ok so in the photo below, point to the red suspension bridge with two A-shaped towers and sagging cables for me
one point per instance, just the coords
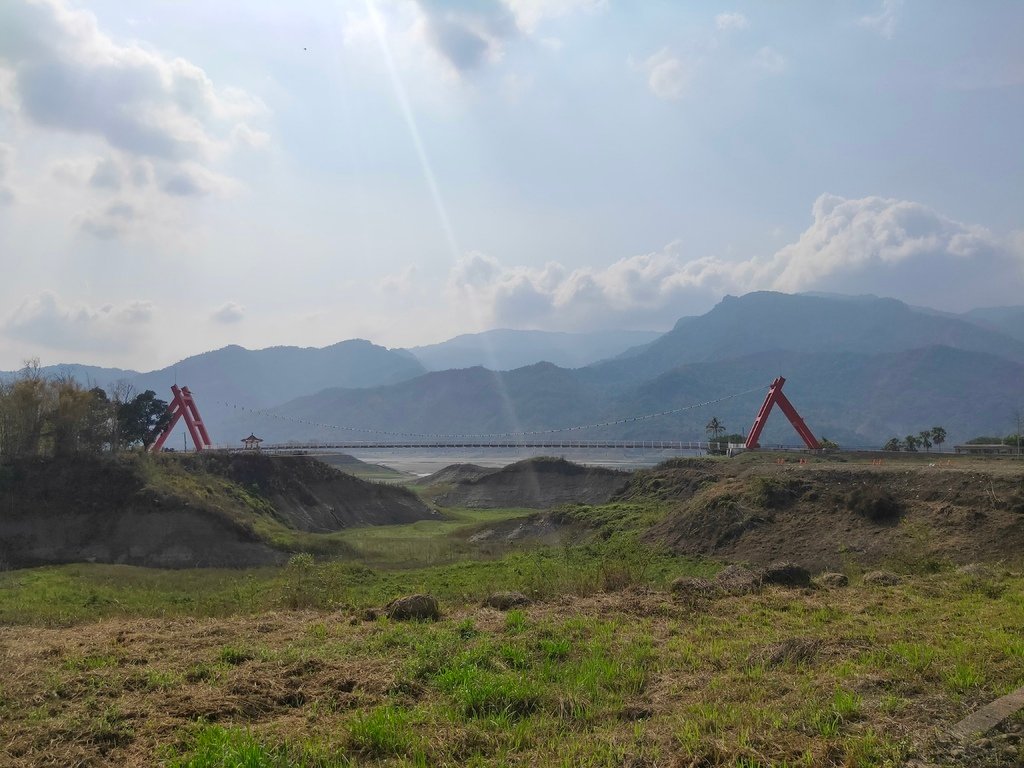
(184, 408)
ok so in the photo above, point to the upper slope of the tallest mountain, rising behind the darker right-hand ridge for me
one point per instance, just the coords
(765, 321)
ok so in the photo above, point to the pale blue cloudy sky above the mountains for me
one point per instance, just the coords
(179, 176)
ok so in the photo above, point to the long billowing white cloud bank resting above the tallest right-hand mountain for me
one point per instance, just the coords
(873, 245)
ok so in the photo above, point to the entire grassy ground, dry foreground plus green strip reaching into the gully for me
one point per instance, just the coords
(108, 665)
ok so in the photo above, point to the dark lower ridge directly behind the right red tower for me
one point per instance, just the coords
(856, 400)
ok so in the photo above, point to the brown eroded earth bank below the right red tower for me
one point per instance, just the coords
(827, 515)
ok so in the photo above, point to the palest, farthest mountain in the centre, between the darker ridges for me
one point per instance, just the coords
(506, 350)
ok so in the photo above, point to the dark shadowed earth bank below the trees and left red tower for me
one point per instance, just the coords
(180, 513)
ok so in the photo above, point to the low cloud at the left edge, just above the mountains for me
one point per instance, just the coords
(46, 321)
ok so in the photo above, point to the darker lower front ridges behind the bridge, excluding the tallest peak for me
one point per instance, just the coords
(857, 400)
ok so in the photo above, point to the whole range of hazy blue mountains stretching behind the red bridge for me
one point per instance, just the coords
(860, 370)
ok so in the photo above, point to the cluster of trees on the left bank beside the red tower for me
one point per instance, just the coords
(41, 416)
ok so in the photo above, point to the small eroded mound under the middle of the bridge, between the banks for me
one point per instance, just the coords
(537, 484)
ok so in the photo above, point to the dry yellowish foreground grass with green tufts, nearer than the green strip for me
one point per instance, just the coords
(628, 677)
